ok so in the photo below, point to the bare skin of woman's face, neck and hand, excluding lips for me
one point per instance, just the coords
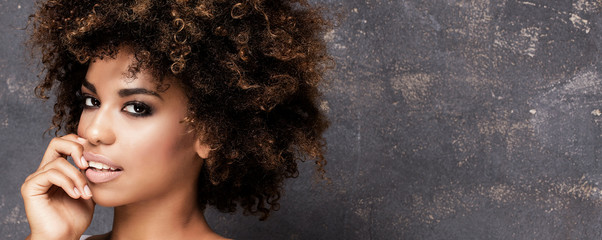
(139, 129)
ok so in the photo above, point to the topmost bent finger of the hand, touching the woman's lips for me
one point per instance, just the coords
(65, 146)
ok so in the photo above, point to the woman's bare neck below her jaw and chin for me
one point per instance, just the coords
(174, 217)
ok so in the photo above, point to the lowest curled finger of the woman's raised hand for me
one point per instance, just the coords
(39, 184)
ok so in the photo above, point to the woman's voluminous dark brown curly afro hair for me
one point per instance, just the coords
(250, 69)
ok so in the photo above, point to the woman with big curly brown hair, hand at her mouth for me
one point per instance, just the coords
(170, 106)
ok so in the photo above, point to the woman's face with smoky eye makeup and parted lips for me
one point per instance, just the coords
(137, 132)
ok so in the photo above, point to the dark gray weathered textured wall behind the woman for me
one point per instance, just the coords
(450, 120)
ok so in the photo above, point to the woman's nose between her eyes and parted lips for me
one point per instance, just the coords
(99, 128)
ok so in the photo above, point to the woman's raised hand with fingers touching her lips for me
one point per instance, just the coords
(57, 198)
